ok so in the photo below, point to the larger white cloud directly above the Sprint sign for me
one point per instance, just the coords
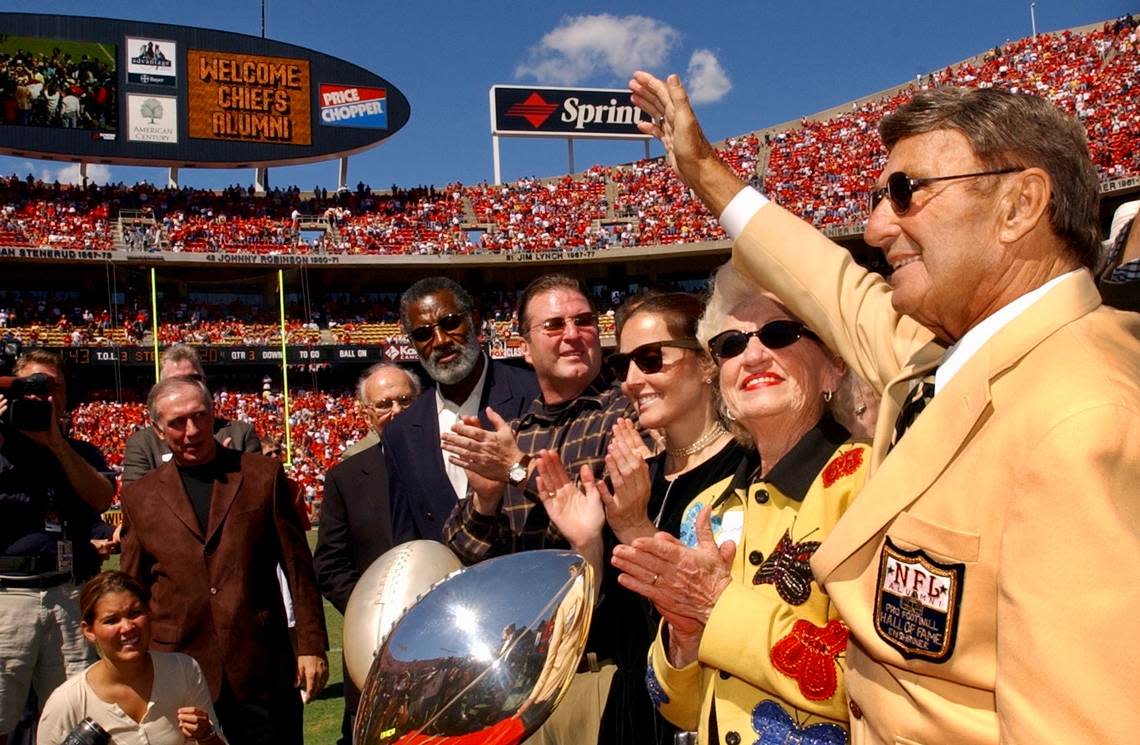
(585, 47)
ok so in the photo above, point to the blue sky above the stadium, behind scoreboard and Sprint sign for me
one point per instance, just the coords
(760, 64)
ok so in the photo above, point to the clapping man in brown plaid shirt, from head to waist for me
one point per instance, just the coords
(574, 416)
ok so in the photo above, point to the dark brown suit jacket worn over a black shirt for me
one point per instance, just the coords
(216, 597)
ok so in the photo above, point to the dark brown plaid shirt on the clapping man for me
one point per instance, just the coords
(581, 432)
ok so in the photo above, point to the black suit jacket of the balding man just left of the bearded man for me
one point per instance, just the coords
(356, 525)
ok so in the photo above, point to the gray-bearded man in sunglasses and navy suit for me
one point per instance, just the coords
(441, 318)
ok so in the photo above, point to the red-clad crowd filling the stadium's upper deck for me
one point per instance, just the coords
(821, 169)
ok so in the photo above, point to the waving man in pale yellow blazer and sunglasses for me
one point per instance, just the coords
(979, 572)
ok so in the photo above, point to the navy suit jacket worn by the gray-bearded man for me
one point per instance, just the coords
(422, 496)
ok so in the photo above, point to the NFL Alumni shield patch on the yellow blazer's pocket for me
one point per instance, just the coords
(917, 603)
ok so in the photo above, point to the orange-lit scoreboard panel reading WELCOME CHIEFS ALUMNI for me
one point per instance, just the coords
(249, 99)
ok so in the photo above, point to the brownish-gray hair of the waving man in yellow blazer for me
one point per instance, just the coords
(1015, 130)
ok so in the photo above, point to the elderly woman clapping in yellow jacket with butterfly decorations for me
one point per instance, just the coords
(750, 646)
